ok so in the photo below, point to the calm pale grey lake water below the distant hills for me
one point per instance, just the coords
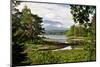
(57, 38)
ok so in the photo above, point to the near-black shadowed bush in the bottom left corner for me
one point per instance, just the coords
(18, 56)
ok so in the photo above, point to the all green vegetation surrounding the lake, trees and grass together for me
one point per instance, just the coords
(28, 48)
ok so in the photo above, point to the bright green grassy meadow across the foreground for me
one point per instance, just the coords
(63, 56)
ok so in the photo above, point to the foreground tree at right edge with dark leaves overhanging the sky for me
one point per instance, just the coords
(81, 15)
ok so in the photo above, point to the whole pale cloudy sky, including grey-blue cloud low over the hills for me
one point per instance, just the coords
(55, 16)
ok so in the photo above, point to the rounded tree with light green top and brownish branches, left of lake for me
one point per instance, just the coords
(31, 25)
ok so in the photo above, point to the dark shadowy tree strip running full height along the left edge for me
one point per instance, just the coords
(18, 57)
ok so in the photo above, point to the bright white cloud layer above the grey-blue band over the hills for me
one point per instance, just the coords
(54, 12)
